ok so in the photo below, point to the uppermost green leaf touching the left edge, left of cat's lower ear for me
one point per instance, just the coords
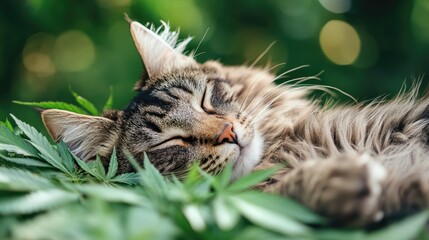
(8, 137)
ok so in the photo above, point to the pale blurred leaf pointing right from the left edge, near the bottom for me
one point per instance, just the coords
(36, 201)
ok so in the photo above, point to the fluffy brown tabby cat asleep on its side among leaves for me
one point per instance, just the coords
(357, 164)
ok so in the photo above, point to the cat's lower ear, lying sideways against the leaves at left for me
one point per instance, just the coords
(86, 136)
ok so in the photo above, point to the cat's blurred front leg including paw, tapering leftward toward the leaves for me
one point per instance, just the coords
(346, 188)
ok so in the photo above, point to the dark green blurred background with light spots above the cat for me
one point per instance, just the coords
(366, 48)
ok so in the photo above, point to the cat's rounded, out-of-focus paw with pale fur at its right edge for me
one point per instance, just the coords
(348, 189)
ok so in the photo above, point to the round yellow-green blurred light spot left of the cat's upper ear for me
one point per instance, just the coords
(74, 51)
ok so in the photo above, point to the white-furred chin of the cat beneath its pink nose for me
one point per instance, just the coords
(250, 155)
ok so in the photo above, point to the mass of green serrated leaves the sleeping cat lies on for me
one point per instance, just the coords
(48, 193)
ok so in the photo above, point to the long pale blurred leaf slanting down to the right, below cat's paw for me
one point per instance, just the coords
(266, 218)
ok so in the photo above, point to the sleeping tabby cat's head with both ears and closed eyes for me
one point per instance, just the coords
(183, 112)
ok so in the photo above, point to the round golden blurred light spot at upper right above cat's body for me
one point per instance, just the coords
(340, 42)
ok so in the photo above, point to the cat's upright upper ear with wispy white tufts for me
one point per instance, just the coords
(159, 49)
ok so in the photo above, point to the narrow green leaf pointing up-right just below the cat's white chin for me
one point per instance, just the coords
(252, 179)
